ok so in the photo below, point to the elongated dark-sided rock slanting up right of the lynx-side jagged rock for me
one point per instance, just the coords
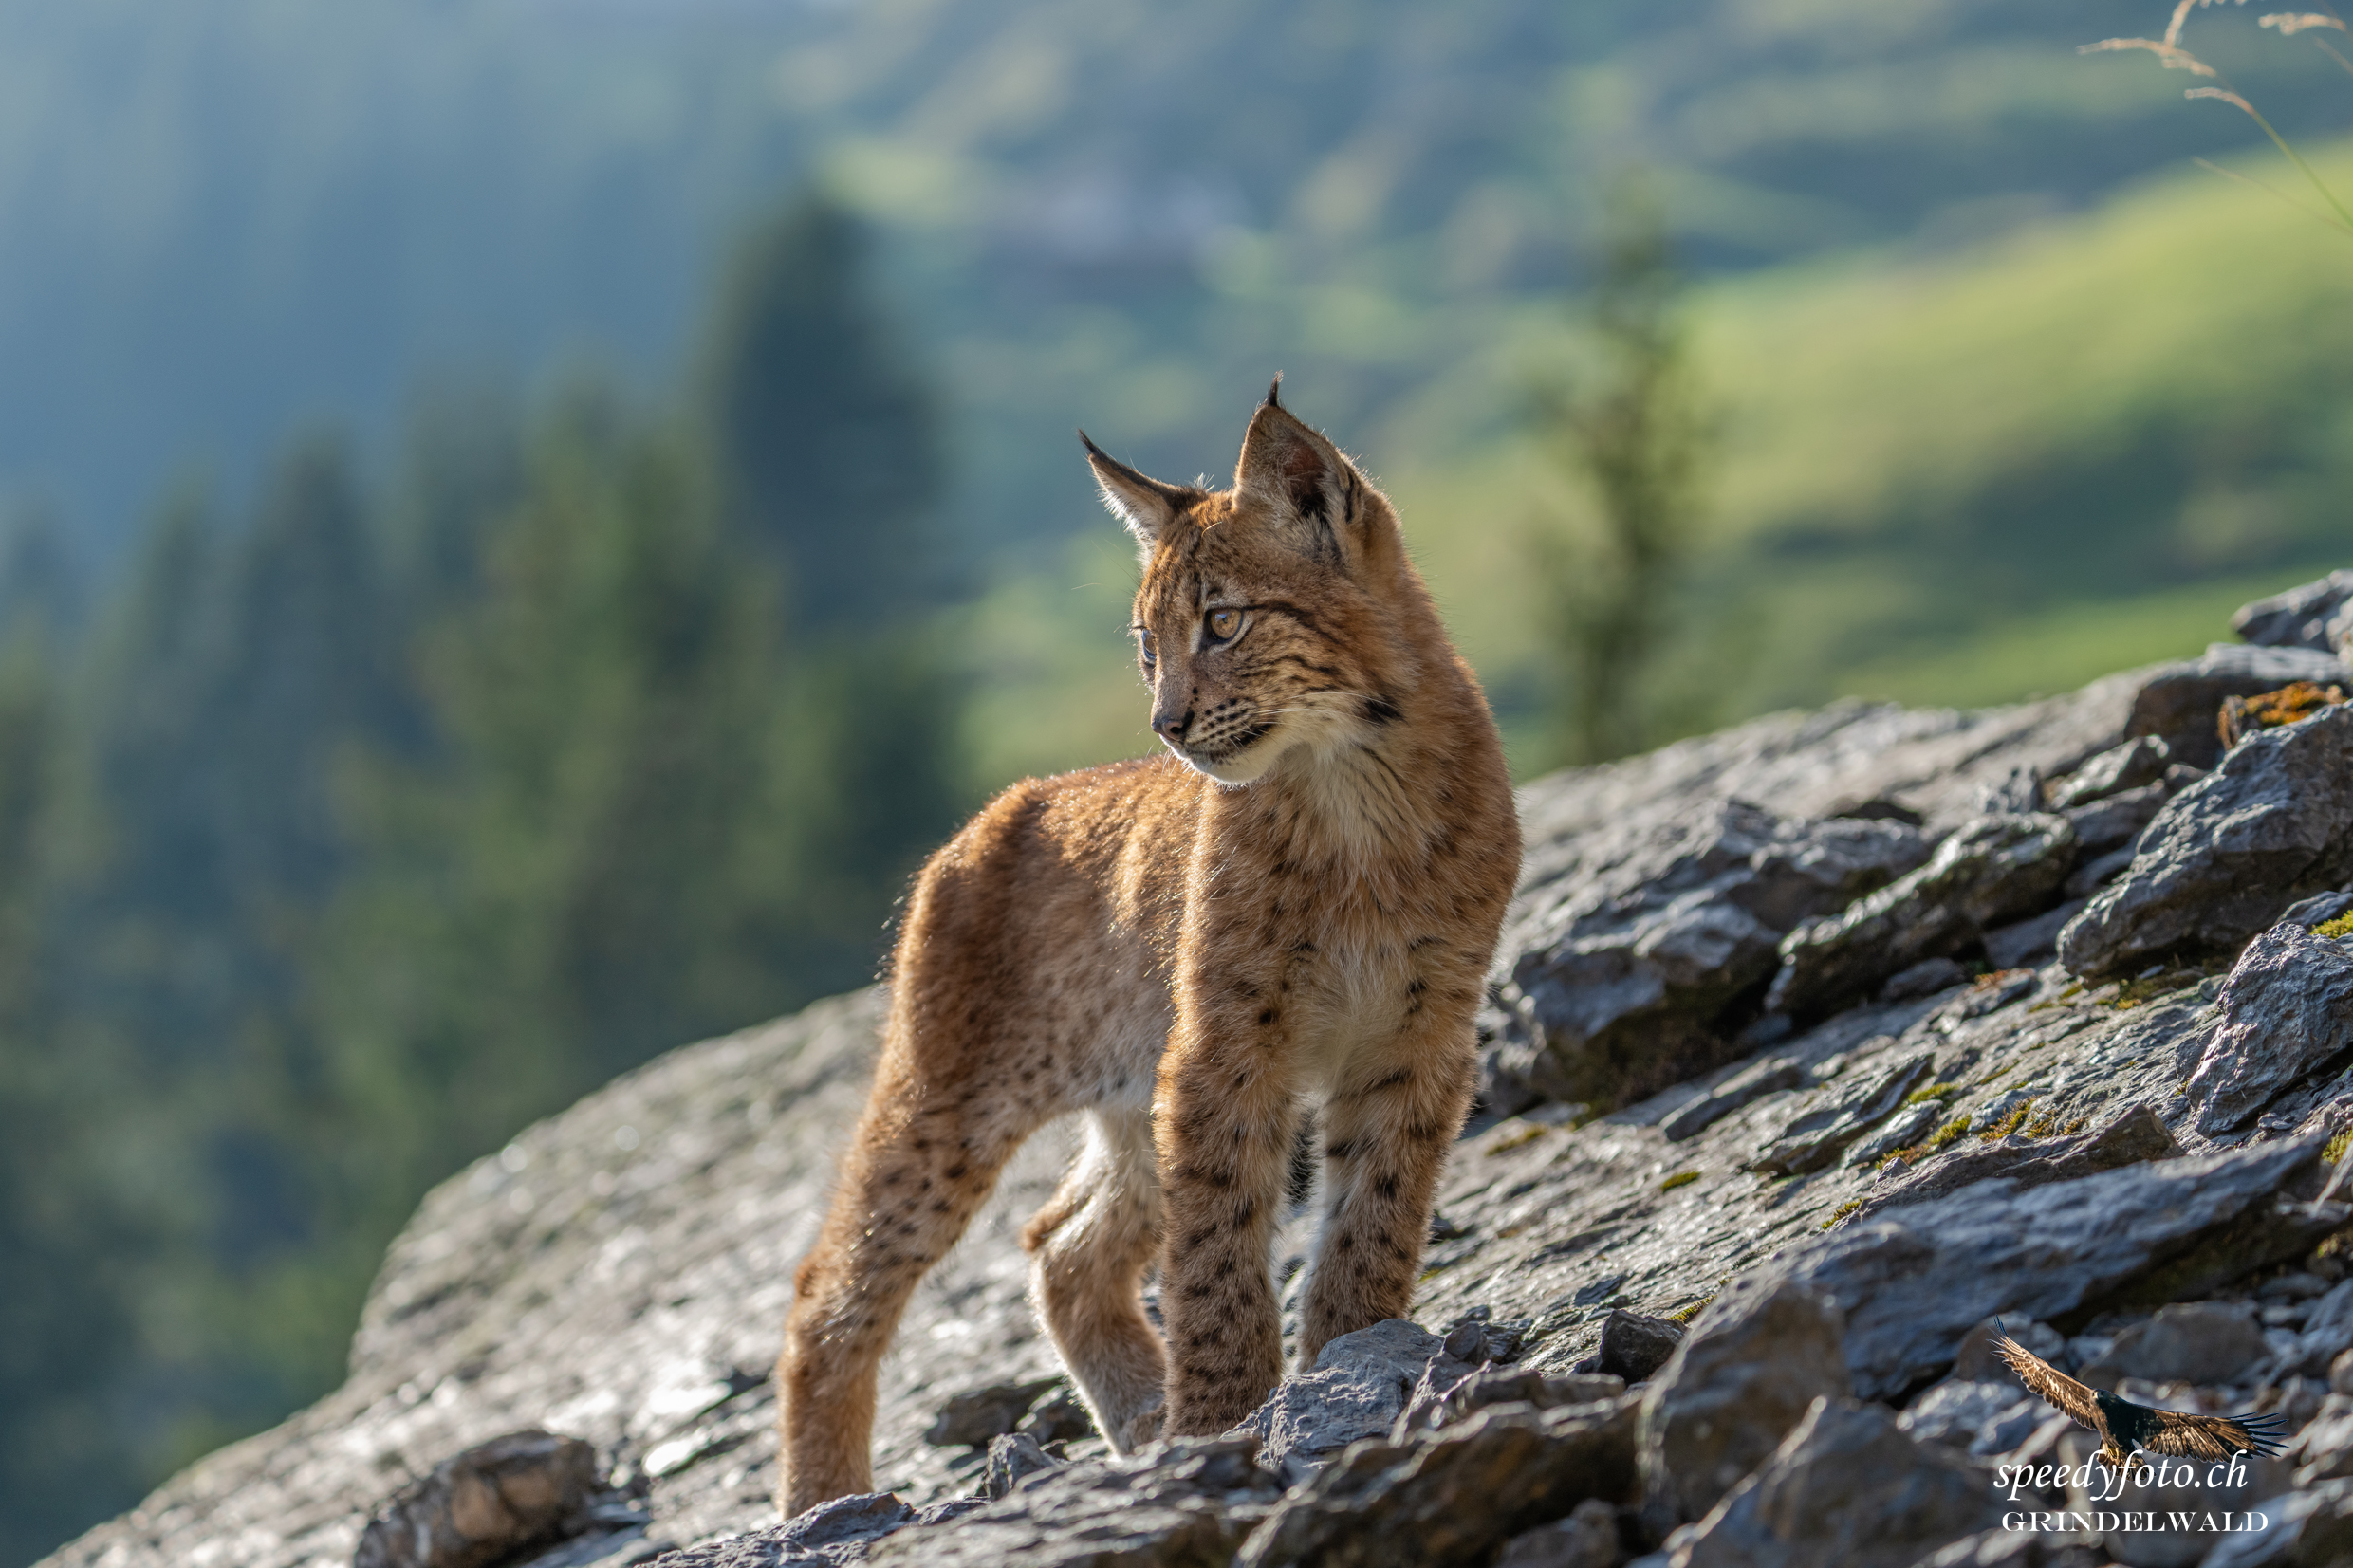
(1994, 871)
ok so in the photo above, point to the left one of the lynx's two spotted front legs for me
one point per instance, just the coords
(1225, 1118)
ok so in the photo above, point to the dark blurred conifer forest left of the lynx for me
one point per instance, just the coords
(352, 833)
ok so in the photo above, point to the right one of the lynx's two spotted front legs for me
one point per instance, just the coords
(1387, 1127)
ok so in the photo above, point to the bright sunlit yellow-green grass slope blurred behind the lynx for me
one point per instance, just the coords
(1952, 478)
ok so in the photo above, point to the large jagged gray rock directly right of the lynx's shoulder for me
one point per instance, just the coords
(1622, 972)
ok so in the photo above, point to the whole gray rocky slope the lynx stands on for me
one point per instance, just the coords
(1815, 1045)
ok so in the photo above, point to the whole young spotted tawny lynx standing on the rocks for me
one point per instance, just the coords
(1295, 906)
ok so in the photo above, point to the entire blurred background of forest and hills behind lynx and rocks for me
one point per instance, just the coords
(521, 521)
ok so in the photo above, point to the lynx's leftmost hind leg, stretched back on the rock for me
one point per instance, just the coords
(916, 1172)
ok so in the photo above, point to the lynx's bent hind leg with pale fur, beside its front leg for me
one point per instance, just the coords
(1093, 1245)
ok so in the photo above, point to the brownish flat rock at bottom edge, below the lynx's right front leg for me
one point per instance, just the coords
(1451, 1496)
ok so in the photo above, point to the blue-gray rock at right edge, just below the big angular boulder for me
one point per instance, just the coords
(2286, 1010)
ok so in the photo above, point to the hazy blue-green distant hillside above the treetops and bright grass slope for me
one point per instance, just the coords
(222, 220)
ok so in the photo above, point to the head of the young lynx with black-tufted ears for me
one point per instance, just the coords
(1277, 617)
